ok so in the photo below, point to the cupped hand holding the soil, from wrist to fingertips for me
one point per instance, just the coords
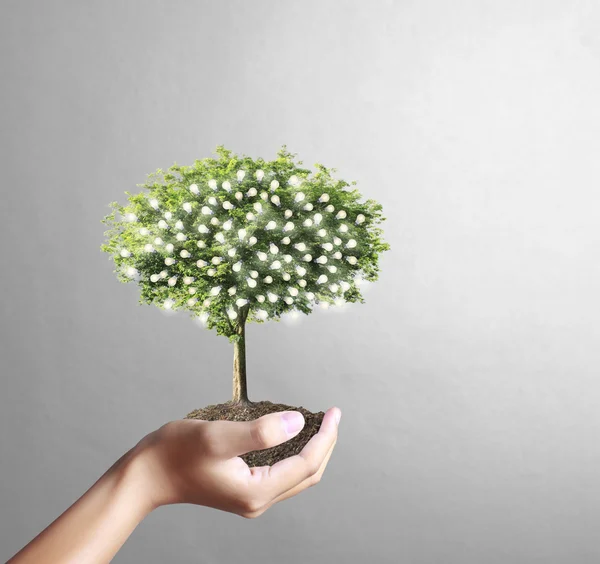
(193, 461)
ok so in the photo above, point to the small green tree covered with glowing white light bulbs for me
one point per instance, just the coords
(234, 240)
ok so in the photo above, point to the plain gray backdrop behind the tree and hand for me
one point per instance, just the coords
(469, 379)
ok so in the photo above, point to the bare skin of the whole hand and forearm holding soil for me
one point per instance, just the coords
(186, 461)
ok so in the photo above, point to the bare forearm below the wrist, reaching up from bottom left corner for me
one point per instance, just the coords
(95, 527)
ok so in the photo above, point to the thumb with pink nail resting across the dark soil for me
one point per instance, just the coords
(233, 438)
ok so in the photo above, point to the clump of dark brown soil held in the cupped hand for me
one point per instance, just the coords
(253, 410)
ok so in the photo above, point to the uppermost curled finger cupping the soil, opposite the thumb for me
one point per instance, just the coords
(292, 471)
